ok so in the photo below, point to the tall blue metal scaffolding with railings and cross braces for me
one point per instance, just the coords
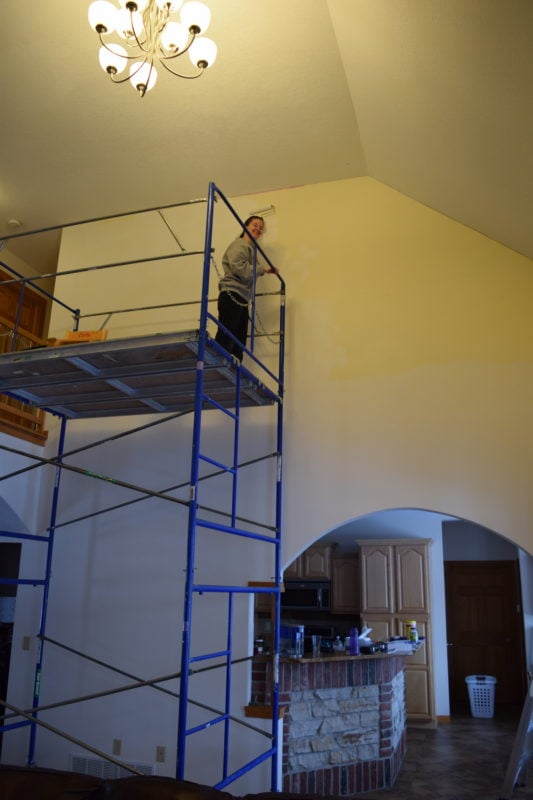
(170, 374)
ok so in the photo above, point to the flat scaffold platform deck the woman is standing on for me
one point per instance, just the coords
(145, 374)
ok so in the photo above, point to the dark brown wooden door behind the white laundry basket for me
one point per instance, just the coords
(485, 629)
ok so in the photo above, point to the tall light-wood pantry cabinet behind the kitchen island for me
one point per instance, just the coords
(395, 589)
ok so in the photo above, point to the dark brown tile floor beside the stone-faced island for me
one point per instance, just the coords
(464, 760)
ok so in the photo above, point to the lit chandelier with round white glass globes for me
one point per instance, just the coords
(151, 32)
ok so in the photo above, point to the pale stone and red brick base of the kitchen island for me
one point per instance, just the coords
(344, 720)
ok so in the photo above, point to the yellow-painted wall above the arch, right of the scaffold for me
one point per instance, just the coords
(409, 369)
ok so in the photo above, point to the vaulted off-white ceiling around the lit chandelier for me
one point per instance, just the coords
(432, 97)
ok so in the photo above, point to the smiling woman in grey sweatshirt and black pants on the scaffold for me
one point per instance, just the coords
(236, 286)
